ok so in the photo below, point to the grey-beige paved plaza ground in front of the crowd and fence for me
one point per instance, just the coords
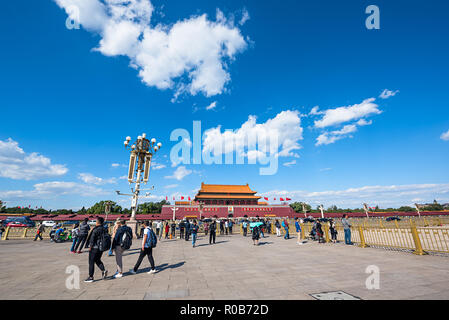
(231, 269)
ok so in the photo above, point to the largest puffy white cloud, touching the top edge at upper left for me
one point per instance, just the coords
(190, 55)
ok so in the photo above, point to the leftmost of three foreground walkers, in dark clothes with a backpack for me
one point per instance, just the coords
(98, 241)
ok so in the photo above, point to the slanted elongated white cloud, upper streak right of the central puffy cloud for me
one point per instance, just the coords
(348, 113)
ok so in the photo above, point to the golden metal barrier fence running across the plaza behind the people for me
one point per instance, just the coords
(420, 235)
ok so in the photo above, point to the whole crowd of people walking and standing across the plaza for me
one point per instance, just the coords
(97, 239)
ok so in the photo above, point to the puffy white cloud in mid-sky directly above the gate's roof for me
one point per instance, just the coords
(286, 126)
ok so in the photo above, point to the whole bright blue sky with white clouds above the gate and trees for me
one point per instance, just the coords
(69, 97)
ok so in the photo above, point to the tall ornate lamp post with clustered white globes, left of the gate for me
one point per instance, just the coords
(142, 152)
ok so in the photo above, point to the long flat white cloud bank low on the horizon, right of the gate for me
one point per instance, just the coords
(393, 195)
